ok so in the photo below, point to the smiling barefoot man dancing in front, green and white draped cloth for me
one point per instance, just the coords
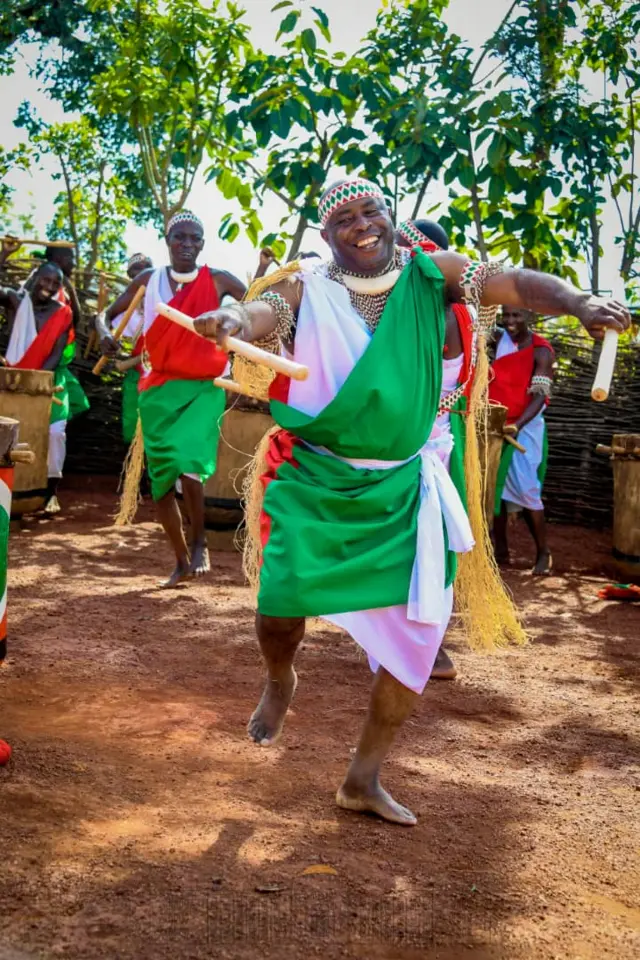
(360, 519)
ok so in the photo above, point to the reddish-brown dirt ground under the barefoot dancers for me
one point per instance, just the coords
(139, 822)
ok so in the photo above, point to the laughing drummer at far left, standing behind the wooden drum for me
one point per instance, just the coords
(42, 338)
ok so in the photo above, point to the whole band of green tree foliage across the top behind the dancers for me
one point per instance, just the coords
(530, 157)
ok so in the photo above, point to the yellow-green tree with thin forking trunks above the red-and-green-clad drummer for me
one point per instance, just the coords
(172, 66)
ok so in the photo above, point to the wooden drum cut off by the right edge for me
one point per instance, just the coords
(625, 457)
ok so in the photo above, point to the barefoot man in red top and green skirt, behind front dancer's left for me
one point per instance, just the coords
(180, 408)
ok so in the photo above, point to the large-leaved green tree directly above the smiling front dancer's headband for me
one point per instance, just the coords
(299, 116)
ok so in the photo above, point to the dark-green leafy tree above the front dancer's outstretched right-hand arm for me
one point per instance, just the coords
(453, 117)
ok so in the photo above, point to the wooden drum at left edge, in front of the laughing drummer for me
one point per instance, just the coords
(25, 395)
